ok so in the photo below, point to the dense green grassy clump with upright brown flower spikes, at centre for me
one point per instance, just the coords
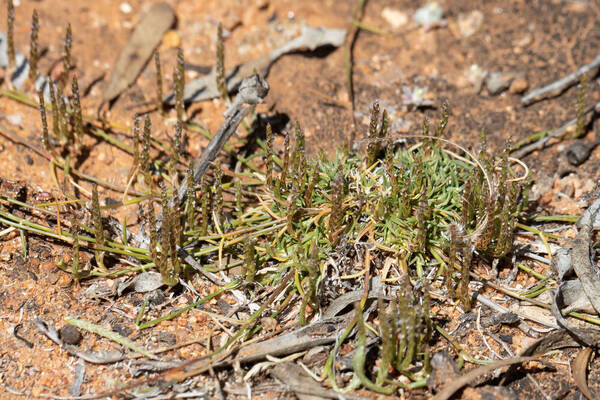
(425, 206)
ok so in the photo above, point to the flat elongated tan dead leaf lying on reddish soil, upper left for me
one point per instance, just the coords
(139, 48)
